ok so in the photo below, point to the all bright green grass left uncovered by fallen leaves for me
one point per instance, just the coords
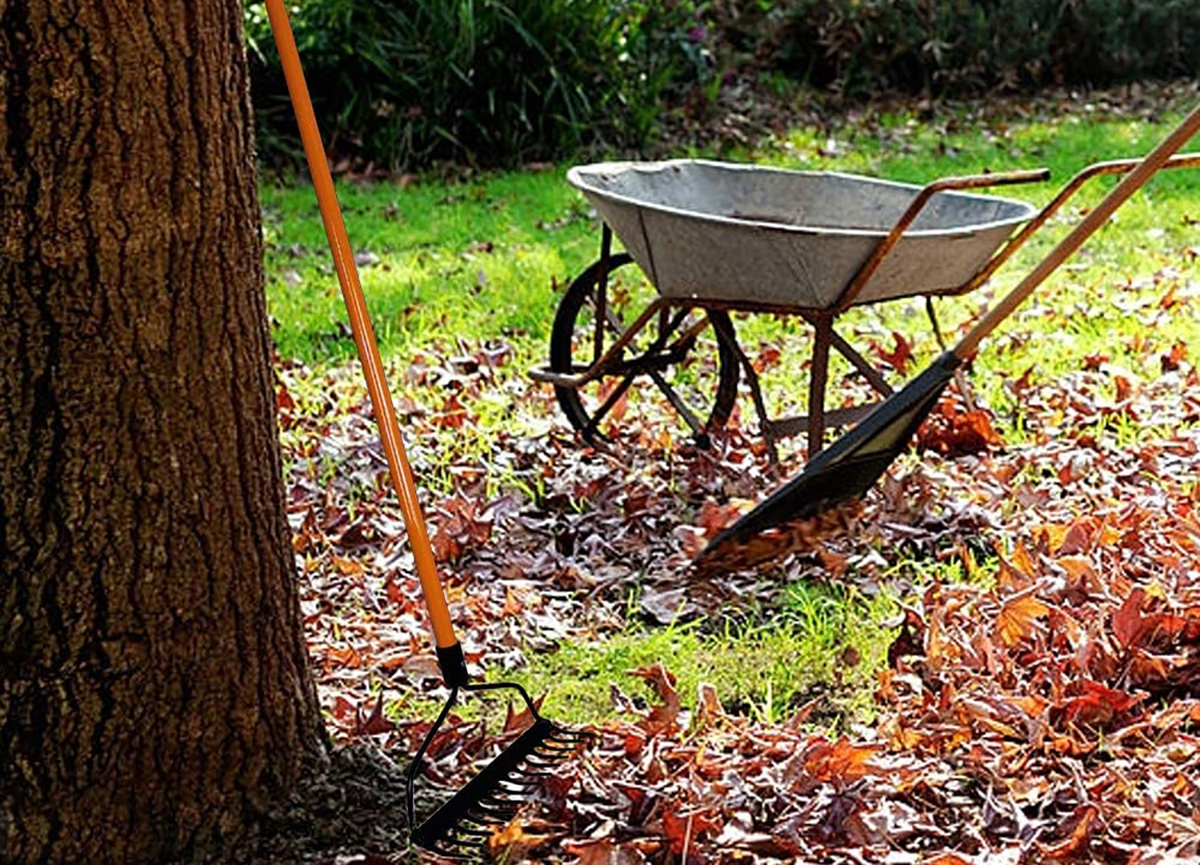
(467, 263)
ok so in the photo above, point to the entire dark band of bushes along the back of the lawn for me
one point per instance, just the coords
(406, 83)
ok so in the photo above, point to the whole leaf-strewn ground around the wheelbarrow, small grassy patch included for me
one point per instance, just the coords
(1035, 695)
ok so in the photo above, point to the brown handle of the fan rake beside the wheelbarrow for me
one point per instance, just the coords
(1133, 181)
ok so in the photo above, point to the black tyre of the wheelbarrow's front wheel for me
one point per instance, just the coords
(563, 333)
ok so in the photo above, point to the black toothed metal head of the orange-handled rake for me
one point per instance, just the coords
(463, 826)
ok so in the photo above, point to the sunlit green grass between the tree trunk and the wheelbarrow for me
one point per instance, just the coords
(472, 261)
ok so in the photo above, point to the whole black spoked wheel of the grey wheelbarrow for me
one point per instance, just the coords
(682, 369)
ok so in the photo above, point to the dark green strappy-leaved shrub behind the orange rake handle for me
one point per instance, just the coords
(487, 82)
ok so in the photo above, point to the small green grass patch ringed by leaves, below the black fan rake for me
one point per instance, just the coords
(818, 653)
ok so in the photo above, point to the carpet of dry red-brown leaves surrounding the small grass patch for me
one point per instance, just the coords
(1045, 710)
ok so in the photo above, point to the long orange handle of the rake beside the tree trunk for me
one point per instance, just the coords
(361, 325)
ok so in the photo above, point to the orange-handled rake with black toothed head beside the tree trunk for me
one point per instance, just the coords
(466, 822)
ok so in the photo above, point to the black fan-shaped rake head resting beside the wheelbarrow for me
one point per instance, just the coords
(849, 467)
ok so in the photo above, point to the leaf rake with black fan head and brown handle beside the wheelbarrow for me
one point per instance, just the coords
(849, 467)
